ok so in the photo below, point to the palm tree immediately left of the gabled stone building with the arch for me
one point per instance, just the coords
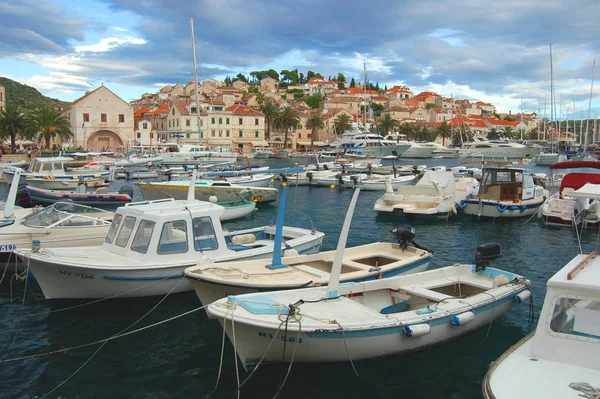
(47, 123)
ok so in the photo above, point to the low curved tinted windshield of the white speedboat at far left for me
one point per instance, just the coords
(64, 214)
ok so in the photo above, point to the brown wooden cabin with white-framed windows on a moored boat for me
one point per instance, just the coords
(505, 184)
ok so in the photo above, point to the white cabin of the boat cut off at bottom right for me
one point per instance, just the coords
(569, 326)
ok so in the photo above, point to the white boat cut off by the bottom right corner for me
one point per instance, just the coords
(560, 358)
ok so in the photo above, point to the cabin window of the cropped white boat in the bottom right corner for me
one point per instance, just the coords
(576, 317)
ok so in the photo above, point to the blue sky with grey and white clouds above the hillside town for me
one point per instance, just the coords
(496, 52)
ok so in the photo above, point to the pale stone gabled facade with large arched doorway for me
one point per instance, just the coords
(101, 119)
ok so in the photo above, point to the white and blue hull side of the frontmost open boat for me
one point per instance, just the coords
(331, 345)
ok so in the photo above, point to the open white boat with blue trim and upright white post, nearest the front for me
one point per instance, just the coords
(359, 321)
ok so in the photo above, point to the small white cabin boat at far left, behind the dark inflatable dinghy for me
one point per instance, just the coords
(43, 170)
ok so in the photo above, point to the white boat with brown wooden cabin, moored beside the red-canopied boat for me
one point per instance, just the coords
(506, 193)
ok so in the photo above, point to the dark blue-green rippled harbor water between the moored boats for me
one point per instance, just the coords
(180, 358)
